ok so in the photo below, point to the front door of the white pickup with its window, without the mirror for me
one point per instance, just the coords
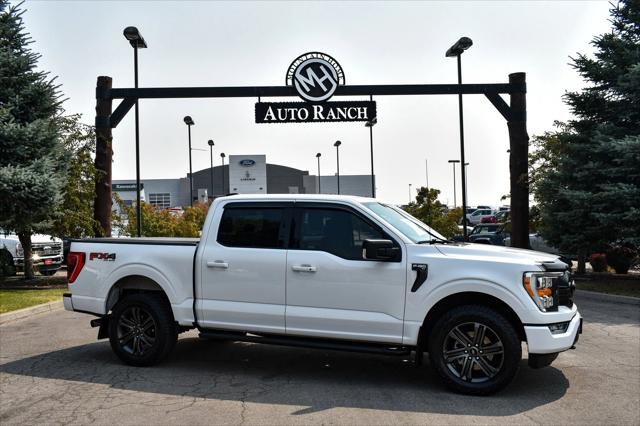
(331, 290)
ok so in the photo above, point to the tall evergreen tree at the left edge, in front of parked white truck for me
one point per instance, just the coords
(32, 163)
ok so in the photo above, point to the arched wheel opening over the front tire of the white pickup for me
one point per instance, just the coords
(468, 298)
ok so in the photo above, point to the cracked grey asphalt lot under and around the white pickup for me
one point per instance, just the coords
(54, 371)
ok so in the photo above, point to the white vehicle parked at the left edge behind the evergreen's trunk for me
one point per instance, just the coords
(46, 252)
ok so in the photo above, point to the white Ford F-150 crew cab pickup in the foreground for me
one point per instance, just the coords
(332, 272)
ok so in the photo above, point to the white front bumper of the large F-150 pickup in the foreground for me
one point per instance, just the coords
(540, 340)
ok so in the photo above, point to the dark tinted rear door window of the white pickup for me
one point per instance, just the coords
(251, 227)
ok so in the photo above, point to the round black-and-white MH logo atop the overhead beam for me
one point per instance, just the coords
(316, 76)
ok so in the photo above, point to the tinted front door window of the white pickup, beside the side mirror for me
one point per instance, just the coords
(335, 231)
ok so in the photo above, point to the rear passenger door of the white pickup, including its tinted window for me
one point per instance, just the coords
(243, 268)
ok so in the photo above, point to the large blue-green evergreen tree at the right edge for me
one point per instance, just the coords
(586, 174)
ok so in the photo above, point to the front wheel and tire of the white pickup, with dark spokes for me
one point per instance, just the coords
(463, 371)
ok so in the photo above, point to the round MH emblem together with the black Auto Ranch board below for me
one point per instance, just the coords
(315, 76)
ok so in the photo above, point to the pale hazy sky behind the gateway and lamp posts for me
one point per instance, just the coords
(253, 43)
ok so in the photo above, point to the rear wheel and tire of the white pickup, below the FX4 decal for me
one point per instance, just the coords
(142, 330)
